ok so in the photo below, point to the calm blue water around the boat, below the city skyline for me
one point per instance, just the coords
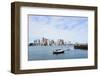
(46, 53)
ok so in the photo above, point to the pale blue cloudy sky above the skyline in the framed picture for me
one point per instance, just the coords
(69, 28)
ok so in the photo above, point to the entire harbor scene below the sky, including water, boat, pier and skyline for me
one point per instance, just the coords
(42, 50)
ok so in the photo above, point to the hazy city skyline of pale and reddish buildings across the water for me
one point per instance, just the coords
(48, 42)
